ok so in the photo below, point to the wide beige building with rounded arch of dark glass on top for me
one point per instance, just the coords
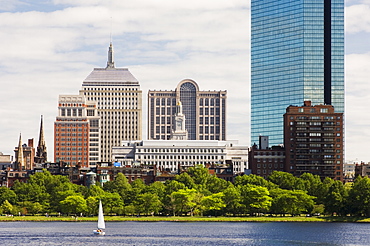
(204, 111)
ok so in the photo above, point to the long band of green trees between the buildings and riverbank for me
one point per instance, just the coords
(194, 192)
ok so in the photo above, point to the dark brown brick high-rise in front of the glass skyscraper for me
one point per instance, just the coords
(314, 140)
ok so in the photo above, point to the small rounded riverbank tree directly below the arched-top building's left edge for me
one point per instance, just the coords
(148, 203)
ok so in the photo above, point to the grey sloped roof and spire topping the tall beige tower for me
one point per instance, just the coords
(110, 75)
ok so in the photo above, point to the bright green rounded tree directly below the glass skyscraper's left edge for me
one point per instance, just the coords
(256, 199)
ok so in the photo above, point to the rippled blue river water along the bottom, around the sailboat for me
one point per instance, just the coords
(185, 233)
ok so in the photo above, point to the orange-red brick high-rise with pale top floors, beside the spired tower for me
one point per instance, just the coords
(77, 131)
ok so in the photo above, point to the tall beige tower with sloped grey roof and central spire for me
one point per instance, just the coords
(119, 104)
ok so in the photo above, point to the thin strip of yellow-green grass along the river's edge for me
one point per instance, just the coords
(187, 219)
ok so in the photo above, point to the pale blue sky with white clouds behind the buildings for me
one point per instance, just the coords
(48, 47)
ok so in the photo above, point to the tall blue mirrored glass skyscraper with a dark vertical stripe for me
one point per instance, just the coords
(297, 55)
